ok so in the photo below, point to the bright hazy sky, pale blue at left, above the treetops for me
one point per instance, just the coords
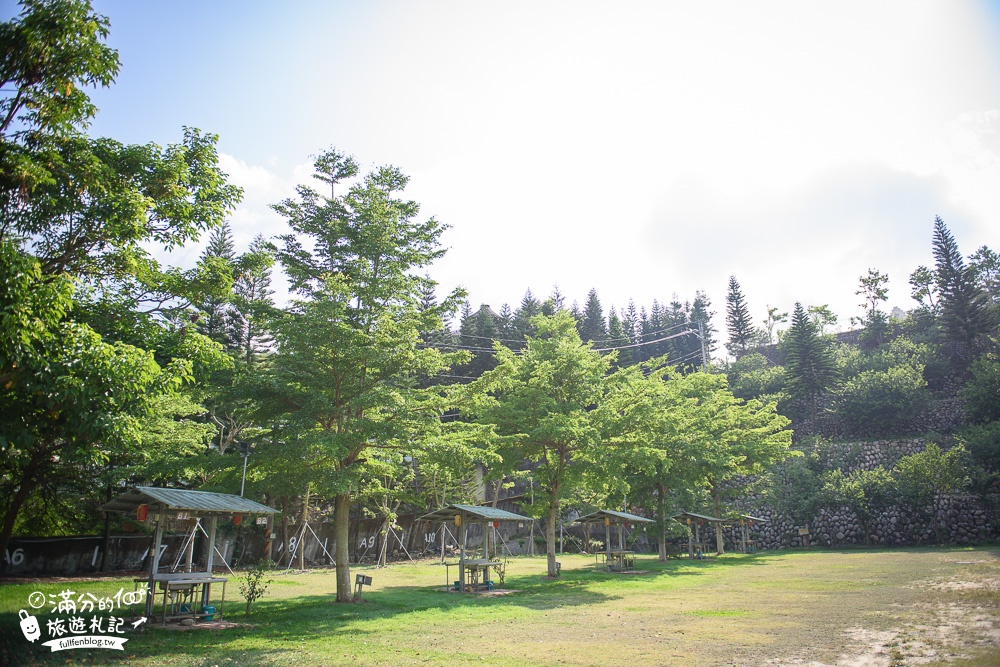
(642, 148)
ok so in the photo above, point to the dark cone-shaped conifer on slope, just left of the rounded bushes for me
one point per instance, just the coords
(809, 366)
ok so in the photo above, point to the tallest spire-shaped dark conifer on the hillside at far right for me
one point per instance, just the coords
(964, 316)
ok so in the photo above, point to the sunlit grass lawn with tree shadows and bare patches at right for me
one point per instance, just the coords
(855, 607)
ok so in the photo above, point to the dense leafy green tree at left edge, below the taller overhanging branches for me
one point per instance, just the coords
(67, 398)
